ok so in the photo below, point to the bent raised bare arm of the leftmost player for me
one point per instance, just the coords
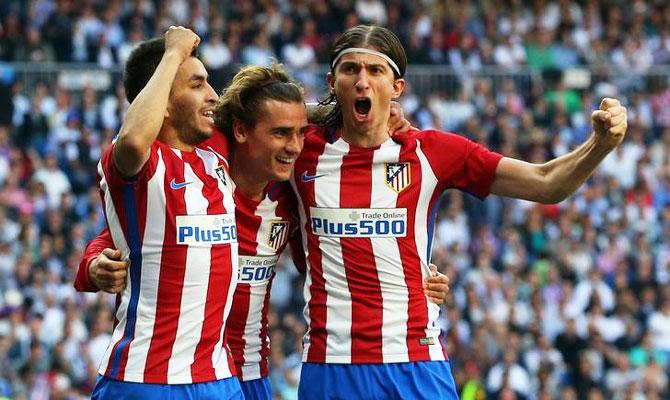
(147, 111)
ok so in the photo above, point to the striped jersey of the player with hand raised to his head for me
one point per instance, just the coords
(175, 222)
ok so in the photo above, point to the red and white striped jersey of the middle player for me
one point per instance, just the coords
(264, 228)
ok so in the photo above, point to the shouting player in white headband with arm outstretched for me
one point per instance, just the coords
(367, 211)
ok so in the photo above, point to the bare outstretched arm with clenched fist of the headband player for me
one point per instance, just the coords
(557, 179)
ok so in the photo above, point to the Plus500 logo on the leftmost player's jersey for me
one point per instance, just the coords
(206, 229)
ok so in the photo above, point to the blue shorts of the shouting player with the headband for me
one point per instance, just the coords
(412, 380)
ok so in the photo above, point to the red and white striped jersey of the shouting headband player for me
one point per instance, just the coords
(368, 218)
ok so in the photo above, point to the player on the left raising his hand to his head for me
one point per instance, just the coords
(170, 211)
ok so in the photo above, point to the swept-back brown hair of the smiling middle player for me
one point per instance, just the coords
(242, 100)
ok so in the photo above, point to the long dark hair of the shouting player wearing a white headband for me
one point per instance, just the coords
(382, 39)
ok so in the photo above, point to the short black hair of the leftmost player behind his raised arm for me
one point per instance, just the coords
(142, 64)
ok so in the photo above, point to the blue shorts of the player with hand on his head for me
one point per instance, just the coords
(225, 389)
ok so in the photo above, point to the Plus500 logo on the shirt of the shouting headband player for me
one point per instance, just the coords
(359, 222)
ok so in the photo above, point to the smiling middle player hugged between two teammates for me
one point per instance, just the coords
(265, 114)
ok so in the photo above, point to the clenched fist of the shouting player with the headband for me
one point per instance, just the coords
(610, 122)
